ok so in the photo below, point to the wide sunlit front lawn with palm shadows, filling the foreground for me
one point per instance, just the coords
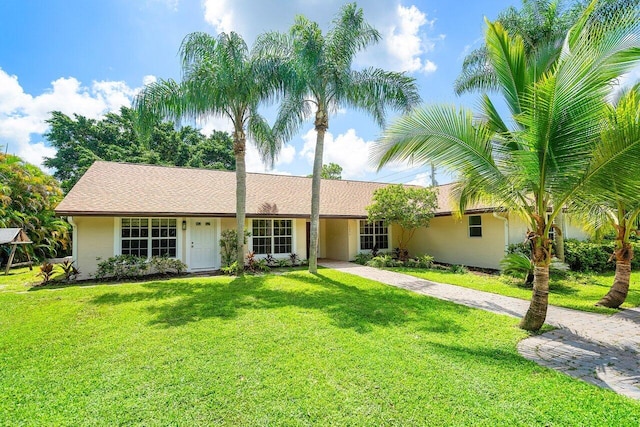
(292, 349)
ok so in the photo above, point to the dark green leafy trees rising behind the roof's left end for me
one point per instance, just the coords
(81, 141)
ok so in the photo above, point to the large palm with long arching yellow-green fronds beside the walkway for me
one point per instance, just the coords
(538, 164)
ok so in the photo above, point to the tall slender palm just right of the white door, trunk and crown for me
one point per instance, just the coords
(220, 78)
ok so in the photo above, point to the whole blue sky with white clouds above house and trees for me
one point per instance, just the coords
(91, 57)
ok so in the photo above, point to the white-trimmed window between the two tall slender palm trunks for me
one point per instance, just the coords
(272, 236)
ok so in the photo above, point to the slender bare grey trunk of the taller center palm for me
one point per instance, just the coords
(321, 125)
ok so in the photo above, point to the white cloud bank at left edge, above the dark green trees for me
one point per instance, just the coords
(22, 115)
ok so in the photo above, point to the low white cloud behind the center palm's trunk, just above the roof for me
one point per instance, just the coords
(348, 150)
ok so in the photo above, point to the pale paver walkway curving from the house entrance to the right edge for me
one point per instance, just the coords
(599, 349)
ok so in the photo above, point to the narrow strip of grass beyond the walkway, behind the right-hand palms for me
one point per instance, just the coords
(577, 291)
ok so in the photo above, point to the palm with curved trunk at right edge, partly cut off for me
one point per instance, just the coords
(617, 209)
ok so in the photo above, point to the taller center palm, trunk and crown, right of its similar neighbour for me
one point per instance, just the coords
(321, 81)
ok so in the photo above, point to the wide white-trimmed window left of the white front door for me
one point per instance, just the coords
(149, 237)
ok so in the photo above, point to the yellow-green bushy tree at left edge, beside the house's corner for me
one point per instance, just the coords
(27, 199)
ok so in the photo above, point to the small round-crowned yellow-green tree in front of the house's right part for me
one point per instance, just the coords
(410, 208)
